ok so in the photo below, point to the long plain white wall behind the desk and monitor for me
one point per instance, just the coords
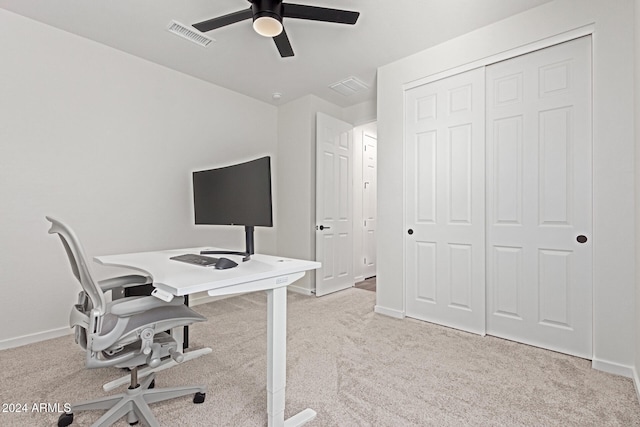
(106, 142)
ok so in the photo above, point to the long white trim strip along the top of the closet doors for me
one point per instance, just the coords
(502, 56)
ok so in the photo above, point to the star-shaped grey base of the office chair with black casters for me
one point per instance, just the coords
(134, 403)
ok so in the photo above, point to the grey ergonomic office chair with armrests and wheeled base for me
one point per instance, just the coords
(126, 333)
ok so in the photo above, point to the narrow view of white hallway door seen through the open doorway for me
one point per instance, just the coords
(369, 201)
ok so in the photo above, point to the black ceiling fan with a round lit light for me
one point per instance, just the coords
(268, 15)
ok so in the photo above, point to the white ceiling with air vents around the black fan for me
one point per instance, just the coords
(245, 62)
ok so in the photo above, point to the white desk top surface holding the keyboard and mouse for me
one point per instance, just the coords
(180, 278)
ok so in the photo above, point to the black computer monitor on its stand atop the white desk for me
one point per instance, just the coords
(239, 194)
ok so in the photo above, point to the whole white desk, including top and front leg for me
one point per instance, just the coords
(261, 273)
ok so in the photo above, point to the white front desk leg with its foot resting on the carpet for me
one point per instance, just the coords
(277, 362)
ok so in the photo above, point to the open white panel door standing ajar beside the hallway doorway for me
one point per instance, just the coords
(334, 204)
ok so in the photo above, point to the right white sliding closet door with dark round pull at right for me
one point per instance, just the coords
(539, 207)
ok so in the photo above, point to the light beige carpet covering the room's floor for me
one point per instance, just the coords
(352, 366)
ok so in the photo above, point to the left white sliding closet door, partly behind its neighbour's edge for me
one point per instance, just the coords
(445, 212)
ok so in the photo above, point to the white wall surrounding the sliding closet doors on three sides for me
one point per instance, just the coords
(614, 221)
